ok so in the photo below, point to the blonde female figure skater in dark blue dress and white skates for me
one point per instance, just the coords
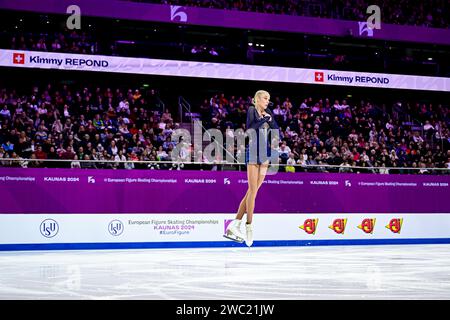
(260, 119)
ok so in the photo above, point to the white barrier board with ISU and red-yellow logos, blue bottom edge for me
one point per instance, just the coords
(100, 231)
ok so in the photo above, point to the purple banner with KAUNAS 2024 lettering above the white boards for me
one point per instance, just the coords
(148, 191)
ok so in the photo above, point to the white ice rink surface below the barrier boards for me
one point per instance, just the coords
(310, 272)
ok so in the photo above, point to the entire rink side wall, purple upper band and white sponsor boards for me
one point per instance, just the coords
(45, 209)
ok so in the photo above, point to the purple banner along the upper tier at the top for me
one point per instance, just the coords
(232, 19)
